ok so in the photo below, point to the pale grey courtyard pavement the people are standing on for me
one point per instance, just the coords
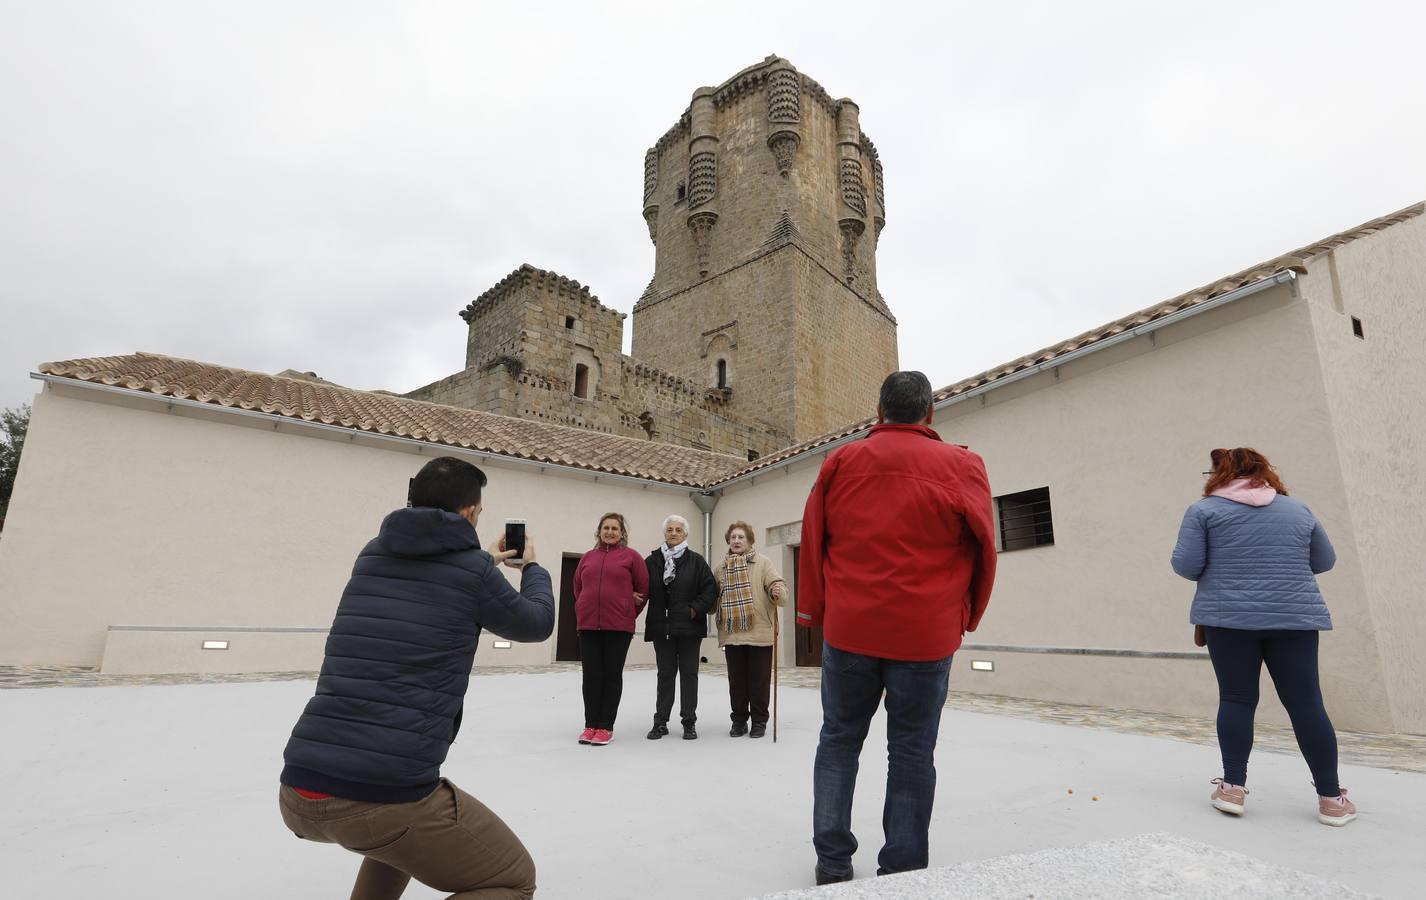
(168, 792)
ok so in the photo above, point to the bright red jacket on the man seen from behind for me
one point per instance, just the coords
(898, 547)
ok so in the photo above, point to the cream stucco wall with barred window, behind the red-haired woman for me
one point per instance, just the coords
(1122, 439)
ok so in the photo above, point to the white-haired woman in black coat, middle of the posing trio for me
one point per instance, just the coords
(682, 593)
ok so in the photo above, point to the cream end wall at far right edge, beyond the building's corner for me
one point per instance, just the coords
(1377, 394)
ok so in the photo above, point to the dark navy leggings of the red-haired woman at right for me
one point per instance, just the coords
(1293, 663)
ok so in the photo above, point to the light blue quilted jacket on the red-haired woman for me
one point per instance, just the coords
(1256, 566)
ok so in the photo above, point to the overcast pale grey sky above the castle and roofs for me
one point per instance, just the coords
(324, 186)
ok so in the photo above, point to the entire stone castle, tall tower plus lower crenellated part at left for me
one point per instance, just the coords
(762, 326)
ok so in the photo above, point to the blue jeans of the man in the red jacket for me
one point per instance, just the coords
(852, 690)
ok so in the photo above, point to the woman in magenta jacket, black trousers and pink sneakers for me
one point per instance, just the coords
(611, 588)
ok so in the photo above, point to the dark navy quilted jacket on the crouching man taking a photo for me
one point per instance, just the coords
(399, 658)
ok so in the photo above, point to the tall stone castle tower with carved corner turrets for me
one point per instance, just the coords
(765, 203)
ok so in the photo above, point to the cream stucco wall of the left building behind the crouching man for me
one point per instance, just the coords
(126, 514)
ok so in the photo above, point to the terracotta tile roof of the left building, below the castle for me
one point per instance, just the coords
(397, 416)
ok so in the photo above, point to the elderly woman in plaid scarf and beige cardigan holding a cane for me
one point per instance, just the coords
(752, 591)
